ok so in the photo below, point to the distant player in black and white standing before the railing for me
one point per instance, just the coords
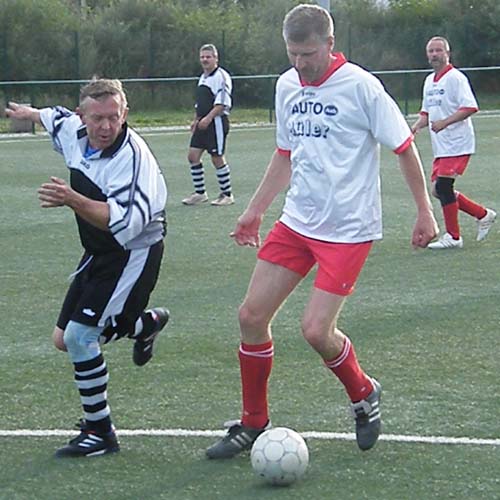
(210, 128)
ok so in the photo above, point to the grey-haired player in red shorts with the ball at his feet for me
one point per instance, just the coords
(331, 117)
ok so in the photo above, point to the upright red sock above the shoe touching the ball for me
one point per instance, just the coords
(255, 367)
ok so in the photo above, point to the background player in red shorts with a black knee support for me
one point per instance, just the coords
(447, 105)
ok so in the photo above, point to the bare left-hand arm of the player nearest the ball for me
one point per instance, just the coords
(276, 178)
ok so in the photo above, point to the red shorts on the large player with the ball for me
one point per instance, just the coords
(339, 264)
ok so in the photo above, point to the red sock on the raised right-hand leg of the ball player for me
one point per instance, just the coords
(358, 385)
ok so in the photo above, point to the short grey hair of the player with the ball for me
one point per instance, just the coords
(306, 21)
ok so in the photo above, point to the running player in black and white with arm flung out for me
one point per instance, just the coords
(118, 195)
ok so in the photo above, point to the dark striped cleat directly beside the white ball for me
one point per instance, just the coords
(238, 438)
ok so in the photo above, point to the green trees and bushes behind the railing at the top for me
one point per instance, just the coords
(76, 39)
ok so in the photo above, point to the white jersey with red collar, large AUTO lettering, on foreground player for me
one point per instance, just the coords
(332, 129)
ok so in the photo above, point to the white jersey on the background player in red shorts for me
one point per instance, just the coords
(443, 95)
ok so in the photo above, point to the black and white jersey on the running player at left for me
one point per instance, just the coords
(126, 176)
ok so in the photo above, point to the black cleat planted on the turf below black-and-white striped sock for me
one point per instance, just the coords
(89, 444)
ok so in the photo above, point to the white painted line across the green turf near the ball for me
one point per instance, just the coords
(344, 436)
